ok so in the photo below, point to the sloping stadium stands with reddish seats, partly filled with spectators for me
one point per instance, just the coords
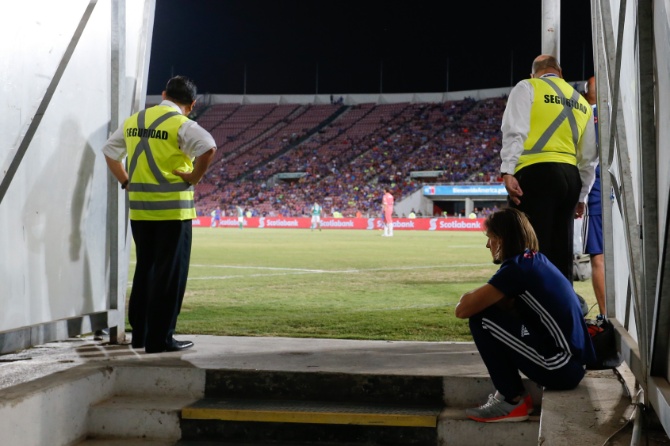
(277, 159)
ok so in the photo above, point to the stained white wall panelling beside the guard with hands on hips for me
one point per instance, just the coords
(55, 252)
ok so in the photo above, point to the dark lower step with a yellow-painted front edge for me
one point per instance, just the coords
(292, 421)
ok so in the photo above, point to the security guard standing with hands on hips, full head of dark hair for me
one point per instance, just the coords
(161, 145)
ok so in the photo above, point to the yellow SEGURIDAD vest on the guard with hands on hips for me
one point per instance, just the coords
(155, 193)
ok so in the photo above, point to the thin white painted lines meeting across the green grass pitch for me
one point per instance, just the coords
(300, 271)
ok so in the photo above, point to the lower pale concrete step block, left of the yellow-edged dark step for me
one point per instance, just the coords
(141, 417)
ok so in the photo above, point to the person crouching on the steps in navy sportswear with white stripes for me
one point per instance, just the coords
(526, 319)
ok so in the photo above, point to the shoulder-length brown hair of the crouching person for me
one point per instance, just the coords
(514, 231)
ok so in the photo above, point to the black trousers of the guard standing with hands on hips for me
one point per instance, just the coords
(163, 254)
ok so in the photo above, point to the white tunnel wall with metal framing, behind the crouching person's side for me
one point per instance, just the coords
(641, 171)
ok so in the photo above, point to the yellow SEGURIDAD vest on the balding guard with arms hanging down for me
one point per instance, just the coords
(558, 117)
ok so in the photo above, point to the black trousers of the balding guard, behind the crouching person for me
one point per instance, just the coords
(550, 196)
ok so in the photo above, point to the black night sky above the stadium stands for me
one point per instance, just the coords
(358, 47)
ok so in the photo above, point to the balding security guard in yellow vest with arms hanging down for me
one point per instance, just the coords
(549, 157)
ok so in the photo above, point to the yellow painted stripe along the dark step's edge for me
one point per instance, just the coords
(279, 416)
